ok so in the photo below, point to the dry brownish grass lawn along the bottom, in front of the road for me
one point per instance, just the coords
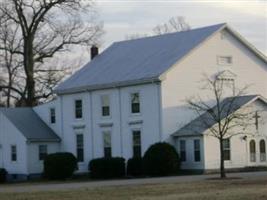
(209, 189)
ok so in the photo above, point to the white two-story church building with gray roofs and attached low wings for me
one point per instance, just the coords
(133, 95)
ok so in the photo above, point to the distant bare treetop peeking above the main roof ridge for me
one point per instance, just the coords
(175, 24)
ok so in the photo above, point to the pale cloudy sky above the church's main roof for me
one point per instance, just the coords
(122, 17)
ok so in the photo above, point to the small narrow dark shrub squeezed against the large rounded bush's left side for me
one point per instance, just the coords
(135, 167)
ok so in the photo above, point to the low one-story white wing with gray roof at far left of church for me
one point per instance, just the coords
(25, 140)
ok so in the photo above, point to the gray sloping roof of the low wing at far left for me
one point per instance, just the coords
(30, 124)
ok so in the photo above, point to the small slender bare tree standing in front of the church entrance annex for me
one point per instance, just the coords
(223, 118)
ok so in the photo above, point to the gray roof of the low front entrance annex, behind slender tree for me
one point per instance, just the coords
(205, 121)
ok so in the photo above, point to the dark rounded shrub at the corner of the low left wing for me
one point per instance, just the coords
(59, 165)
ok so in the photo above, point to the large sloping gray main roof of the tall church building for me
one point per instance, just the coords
(136, 61)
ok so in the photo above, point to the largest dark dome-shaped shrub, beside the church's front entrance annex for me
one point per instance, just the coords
(161, 159)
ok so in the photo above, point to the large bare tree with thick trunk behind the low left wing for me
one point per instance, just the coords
(46, 29)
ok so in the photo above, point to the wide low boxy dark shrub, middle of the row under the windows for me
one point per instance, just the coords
(107, 168)
